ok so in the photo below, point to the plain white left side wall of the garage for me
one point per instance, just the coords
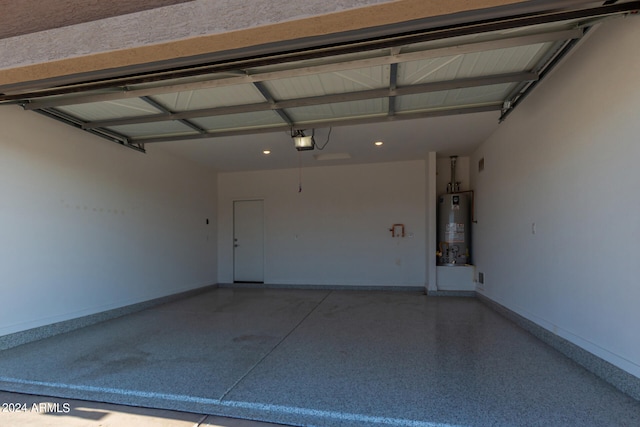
(88, 225)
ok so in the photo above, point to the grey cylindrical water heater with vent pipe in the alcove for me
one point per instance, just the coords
(454, 224)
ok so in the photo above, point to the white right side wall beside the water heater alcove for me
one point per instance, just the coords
(567, 160)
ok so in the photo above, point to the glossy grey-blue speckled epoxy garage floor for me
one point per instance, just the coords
(322, 358)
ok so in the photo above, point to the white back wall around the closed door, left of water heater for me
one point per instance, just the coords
(336, 231)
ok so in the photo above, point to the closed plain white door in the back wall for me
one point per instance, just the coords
(248, 241)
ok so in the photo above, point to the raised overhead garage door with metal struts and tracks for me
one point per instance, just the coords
(475, 67)
